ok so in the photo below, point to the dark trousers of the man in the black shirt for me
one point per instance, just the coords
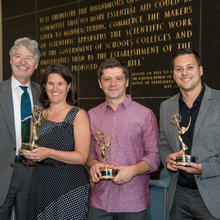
(188, 205)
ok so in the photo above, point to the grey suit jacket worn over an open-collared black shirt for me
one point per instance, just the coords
(205, 146)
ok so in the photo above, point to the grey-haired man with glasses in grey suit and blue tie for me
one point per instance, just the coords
(15, 174)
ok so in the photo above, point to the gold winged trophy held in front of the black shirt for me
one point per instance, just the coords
(185, 159)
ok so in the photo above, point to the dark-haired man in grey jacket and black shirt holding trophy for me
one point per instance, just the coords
(194, 191)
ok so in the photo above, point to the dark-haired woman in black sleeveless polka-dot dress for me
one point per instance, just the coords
(60, 186)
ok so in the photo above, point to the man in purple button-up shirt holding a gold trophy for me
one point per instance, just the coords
(133, 151)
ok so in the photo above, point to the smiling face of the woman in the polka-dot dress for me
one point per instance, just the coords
(57, 88)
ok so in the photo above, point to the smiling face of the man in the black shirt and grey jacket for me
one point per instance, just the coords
(187, 73)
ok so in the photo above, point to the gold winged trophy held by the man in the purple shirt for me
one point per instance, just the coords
(107, 173)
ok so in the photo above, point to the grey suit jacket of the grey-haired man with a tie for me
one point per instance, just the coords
(7, 134)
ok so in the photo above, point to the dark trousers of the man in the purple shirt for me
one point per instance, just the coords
(100, 214)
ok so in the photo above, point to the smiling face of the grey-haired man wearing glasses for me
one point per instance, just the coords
(23, 64)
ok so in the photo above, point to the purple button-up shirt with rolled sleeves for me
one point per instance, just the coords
(134, 138)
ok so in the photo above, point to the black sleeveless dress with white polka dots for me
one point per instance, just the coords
(58, 190)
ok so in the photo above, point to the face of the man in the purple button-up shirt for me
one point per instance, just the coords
(114, 83)
